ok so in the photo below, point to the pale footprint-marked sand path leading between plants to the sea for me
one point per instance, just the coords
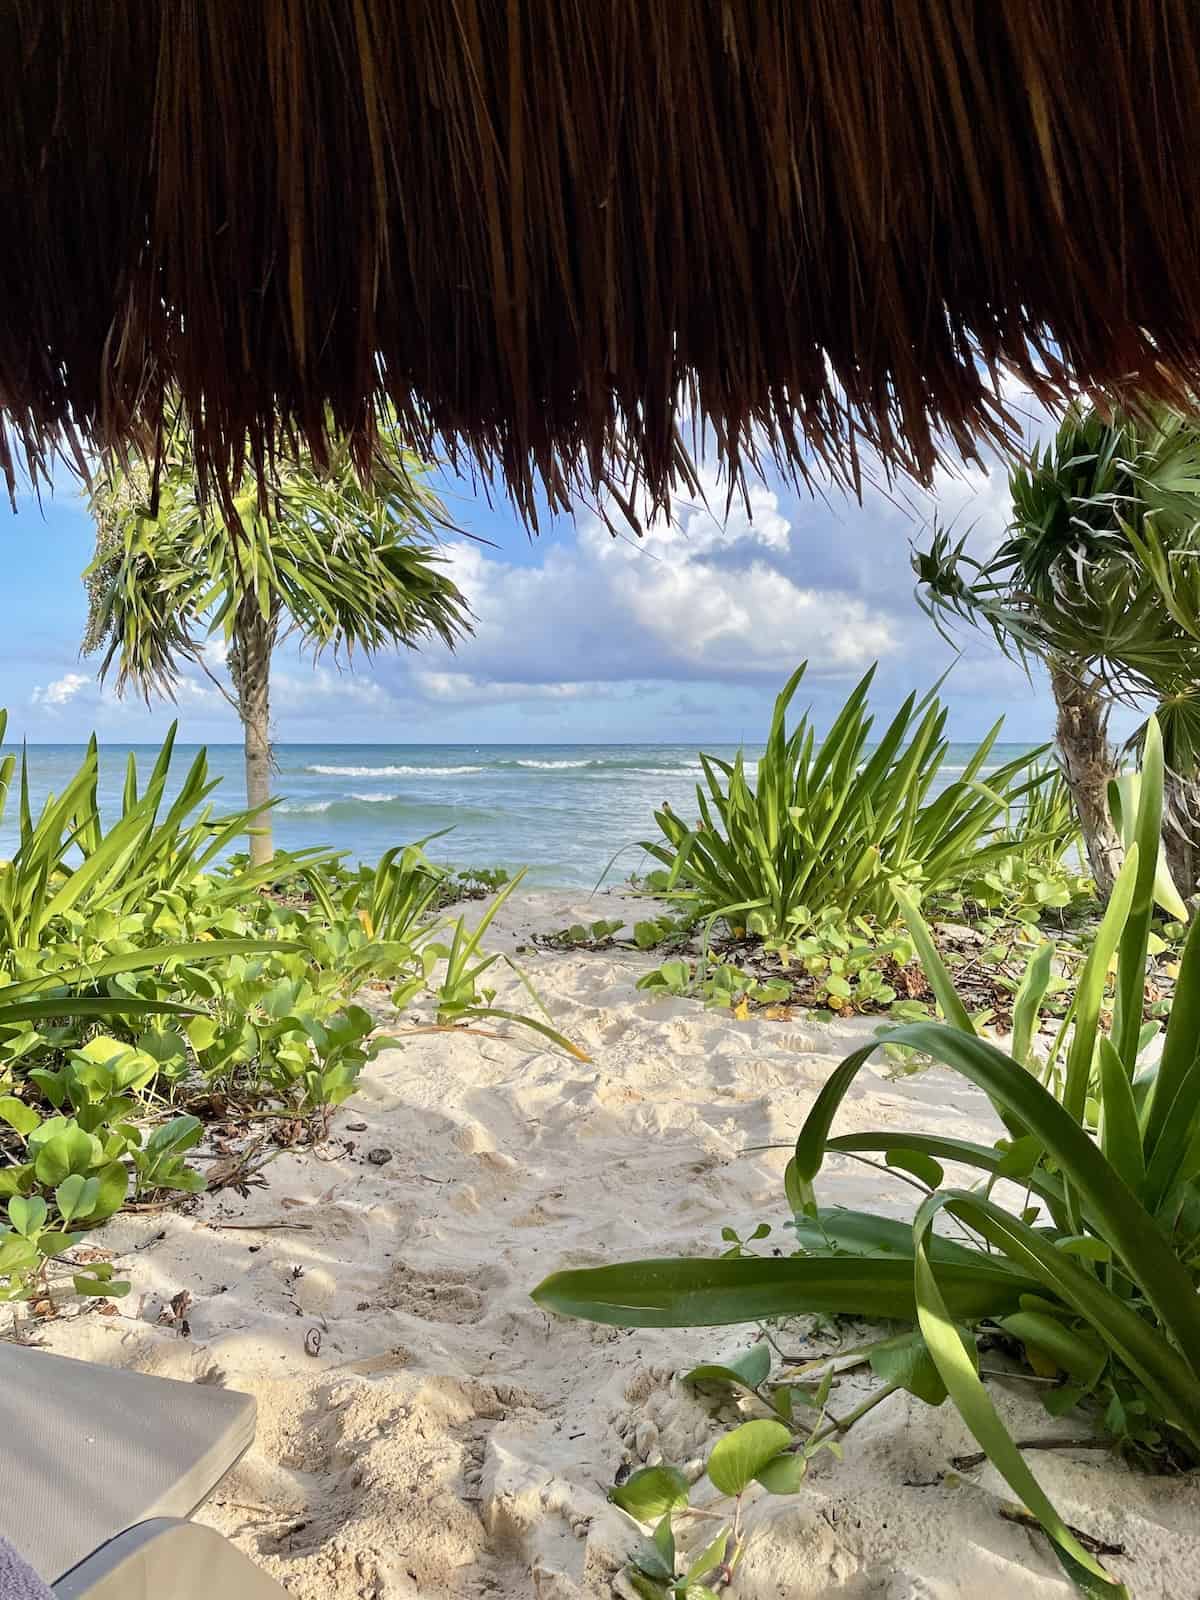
(452, 1441)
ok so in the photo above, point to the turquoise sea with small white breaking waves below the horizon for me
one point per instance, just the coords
(564, 810)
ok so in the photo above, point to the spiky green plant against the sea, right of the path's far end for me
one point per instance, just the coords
(838, 820)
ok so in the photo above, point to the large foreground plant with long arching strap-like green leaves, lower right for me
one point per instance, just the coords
(1098, 1273)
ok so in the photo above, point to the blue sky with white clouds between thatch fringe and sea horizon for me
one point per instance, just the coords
(682, 638)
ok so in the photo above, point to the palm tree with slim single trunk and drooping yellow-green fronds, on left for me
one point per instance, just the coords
(338, 559)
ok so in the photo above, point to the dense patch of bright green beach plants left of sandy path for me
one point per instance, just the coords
(220, 990)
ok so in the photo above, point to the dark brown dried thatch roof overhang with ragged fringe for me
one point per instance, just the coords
(546, 231)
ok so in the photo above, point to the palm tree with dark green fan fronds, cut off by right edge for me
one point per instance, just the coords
(1100, 580)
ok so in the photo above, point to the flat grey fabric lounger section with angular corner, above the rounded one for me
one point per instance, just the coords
(87, 1452)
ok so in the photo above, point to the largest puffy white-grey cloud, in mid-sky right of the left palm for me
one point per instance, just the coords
(698, 598)
